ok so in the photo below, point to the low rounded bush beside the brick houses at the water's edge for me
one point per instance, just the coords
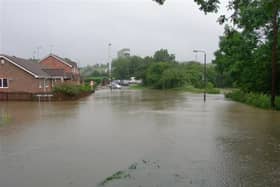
(71, 90)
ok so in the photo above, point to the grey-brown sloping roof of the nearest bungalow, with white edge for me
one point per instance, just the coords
(28, 66)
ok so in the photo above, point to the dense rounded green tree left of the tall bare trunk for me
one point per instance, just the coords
(241, 63)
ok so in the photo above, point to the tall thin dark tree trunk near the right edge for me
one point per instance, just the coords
(274, 56)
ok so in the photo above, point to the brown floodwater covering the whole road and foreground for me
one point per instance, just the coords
(153, 138)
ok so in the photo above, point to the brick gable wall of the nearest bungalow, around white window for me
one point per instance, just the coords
(19, 80)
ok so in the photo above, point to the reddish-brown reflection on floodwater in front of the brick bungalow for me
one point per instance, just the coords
(23, 114)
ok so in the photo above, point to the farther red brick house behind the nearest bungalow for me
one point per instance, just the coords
(69, 67)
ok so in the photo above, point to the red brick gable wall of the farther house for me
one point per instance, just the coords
(53, 63)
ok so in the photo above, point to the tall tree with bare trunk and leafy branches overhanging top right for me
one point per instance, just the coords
(259, 17)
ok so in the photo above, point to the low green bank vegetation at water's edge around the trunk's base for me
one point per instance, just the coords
(255, 99)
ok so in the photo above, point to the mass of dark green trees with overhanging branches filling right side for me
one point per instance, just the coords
(248, 57)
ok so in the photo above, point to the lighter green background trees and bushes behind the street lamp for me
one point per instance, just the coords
(162, 71)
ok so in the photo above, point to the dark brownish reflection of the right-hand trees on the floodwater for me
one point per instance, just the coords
(251, 149)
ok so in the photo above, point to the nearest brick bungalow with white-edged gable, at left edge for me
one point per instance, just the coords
(21, 75)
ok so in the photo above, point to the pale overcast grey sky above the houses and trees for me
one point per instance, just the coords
(82, 29)
